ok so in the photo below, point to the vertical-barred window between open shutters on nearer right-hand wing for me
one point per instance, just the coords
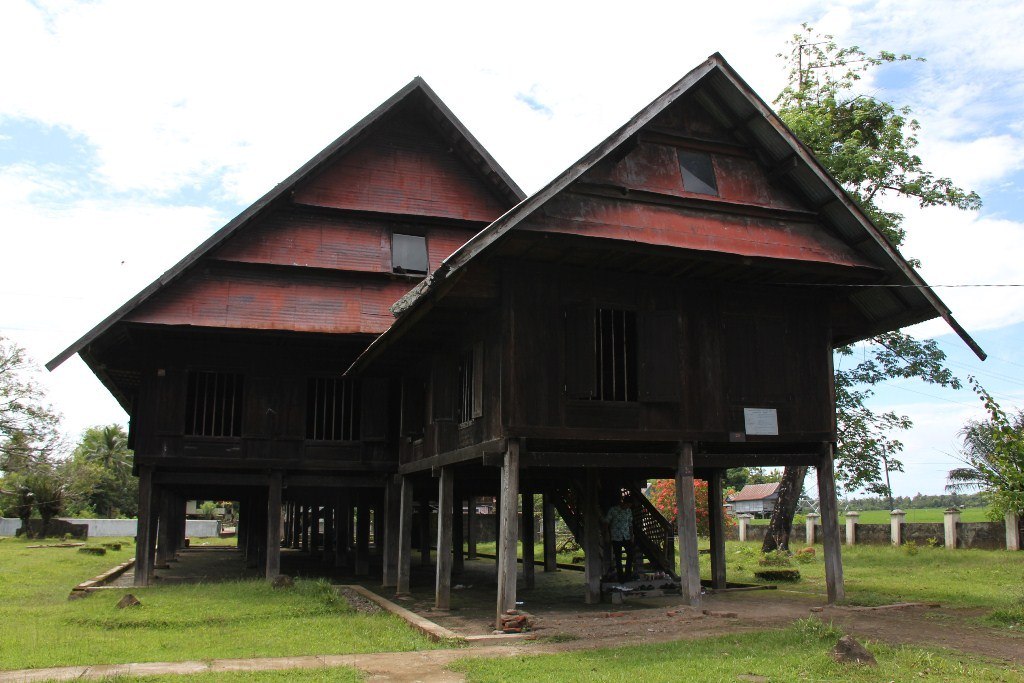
(616, 340)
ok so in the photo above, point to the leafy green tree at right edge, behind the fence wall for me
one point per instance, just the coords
(994, 457)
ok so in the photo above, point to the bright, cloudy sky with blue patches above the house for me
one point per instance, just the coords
(131, 131)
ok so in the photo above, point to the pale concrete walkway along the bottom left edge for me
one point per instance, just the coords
(424, 666)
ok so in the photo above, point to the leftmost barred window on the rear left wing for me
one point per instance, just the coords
(214, 406)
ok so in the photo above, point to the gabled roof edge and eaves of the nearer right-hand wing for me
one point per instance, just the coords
(720, 89)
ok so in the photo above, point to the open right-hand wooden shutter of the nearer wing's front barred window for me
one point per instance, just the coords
(660, 376)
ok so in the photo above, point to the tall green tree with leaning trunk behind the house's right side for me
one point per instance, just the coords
(868, 146)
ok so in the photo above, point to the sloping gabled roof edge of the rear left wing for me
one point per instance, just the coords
(417, 89)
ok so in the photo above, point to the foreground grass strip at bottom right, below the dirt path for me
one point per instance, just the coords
(800, 653)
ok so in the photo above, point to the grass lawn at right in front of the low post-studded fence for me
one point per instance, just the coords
(879, 575)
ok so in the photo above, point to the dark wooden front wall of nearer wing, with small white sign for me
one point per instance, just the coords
(707, 351)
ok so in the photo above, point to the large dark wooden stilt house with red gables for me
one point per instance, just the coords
(667, 308)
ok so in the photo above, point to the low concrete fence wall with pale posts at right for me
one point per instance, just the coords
(952, 533)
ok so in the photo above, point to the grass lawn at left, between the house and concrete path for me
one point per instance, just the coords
(40, 628)
